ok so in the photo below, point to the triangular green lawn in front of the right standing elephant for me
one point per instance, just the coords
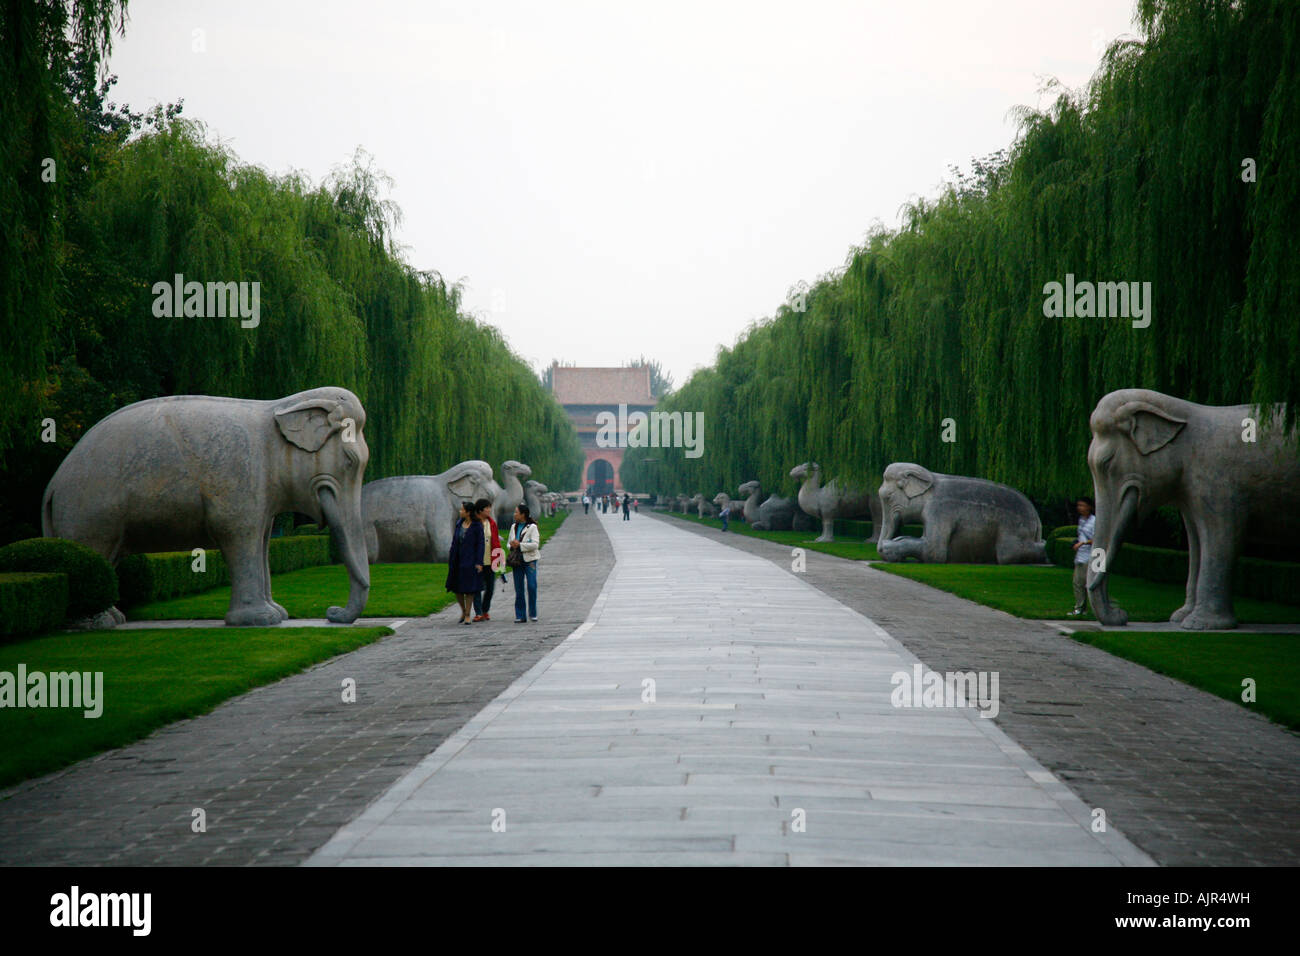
(1219, 664)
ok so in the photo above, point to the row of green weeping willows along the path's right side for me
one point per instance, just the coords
(1143, 176)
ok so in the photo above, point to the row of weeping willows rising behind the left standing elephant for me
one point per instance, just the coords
(339, 306)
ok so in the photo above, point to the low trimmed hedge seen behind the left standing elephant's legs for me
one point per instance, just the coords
(146, 578)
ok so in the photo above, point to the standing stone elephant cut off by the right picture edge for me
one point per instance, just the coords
(1150, 449)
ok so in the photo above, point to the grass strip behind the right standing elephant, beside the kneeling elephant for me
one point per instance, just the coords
(1047, 592)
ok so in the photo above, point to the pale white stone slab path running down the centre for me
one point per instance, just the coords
(770, 699)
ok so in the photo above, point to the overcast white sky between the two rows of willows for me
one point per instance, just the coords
(614, 179)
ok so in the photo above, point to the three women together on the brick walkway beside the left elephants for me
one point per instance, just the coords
(478, 559)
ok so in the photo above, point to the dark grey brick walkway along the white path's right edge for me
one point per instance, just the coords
(1189, 777)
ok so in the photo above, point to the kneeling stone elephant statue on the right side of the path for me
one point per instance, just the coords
(967, 521)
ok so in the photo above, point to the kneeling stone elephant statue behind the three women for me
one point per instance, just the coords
(410, 518)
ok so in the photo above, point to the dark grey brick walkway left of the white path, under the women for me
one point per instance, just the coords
(281, 768)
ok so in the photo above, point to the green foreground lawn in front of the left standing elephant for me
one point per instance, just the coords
(153, 678)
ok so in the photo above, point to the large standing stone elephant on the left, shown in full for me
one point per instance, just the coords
(198, 471)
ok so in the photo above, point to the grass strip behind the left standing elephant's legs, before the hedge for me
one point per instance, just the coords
(397, 591)
